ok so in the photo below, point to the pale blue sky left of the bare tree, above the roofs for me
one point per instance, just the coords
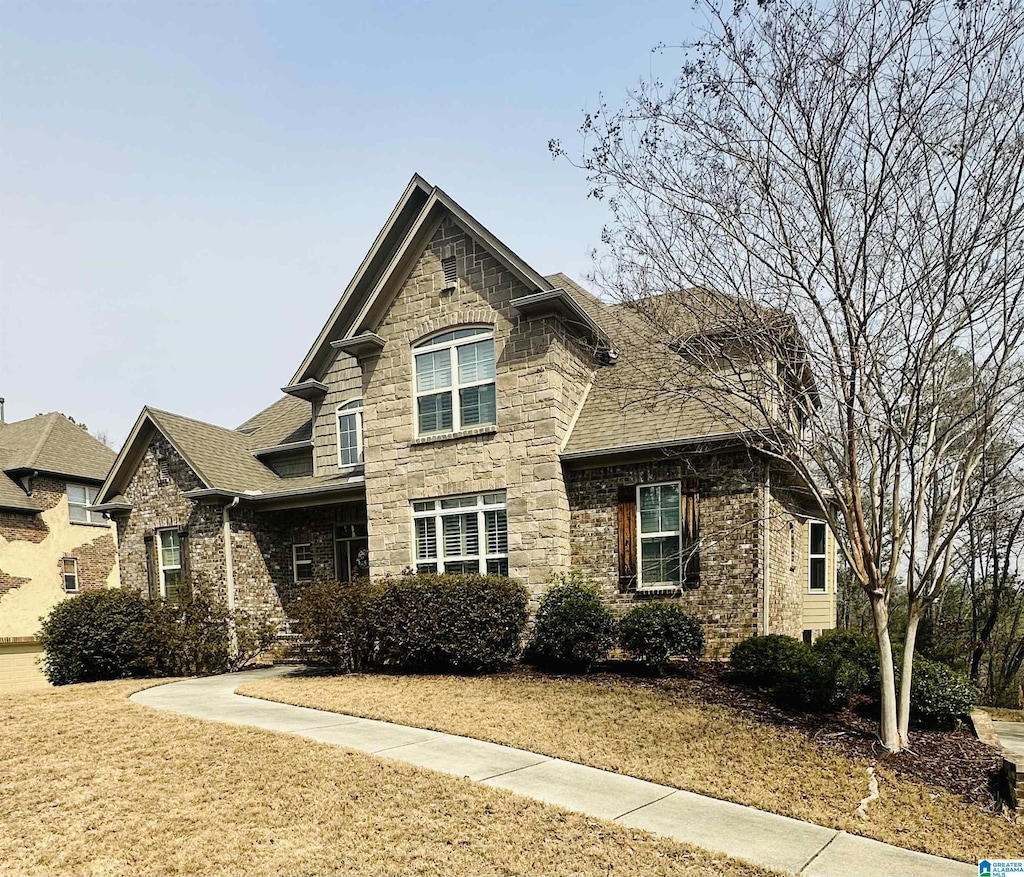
(187, 188)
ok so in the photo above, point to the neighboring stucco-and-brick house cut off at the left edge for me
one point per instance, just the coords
(52, 545)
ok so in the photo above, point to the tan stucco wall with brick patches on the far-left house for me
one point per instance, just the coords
(32, 552)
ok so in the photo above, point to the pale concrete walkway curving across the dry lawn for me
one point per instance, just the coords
(766, 840)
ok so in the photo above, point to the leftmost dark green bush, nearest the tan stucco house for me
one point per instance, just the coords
(98, 636)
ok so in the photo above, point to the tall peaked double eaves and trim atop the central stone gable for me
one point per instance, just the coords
(395, 249)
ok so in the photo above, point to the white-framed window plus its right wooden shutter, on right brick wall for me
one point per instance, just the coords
(668, 530)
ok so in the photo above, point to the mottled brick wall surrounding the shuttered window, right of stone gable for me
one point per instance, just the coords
(730, 599)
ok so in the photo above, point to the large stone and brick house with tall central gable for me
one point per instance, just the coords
(461, 412)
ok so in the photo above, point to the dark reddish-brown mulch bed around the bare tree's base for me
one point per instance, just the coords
(955, 761)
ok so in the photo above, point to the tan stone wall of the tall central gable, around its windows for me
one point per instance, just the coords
(541, 378)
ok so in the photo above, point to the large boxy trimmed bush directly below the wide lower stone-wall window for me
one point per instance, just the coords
(458, 623)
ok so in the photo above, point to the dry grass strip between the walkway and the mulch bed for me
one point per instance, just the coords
(672, 738)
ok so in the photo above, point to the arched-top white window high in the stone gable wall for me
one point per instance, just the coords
(455, 382)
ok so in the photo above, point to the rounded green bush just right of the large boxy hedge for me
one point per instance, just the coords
(573, 629)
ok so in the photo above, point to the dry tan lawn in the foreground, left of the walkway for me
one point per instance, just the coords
(92, 784)
